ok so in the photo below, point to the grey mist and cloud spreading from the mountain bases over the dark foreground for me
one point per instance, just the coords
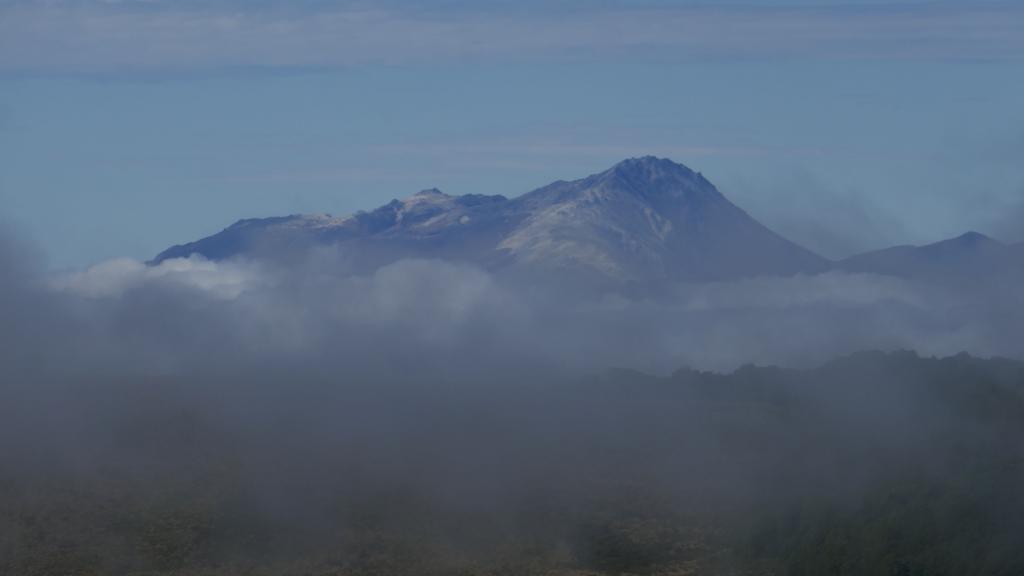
(431, 418)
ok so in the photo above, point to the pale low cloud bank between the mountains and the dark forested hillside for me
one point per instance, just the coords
(461, 316)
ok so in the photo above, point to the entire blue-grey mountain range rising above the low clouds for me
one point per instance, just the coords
(645, 222)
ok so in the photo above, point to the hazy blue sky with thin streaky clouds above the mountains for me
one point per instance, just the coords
(127, 127)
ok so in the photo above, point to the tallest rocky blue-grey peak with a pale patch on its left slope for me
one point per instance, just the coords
(654, 220)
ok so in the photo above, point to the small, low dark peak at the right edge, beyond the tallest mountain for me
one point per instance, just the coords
(970, 258)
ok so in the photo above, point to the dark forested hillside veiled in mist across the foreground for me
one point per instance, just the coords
(872, 465)
